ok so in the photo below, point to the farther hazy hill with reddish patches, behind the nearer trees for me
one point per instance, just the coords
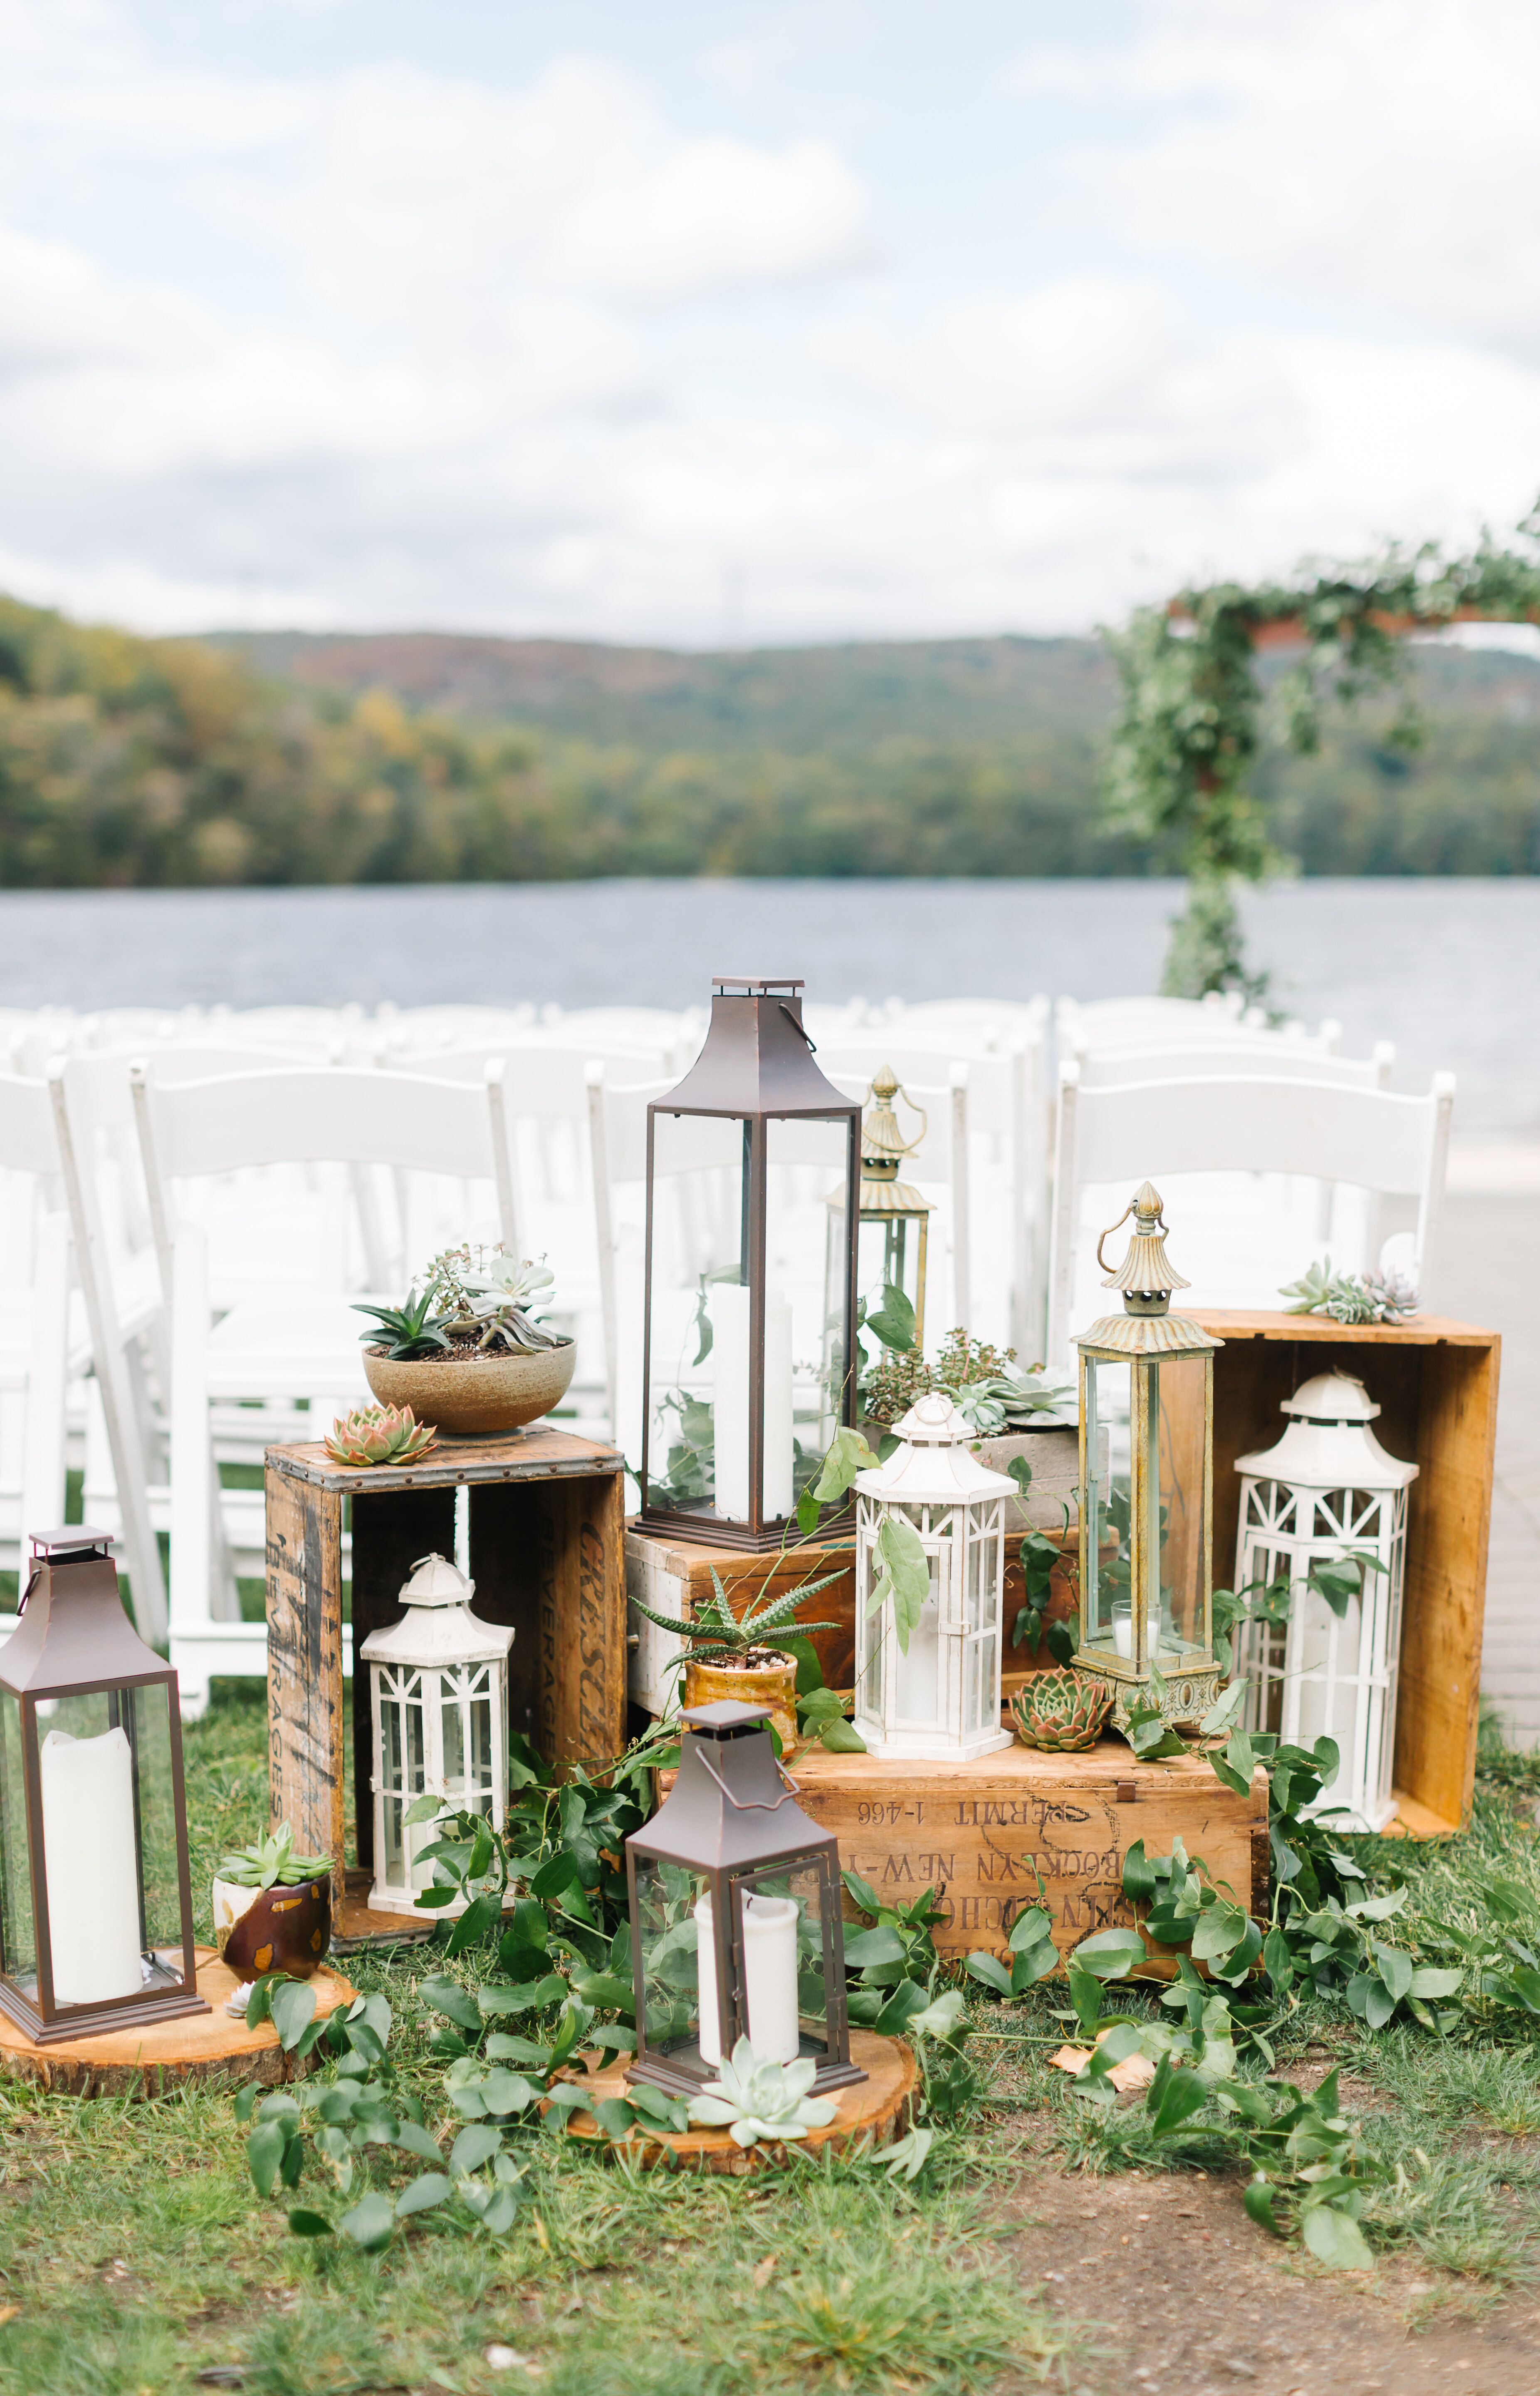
(794, 701)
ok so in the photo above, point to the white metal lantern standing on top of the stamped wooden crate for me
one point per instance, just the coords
(942, 1700)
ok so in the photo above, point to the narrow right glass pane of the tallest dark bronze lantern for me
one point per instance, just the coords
(804, 1353)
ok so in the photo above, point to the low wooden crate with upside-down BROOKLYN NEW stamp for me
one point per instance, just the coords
(1019, 1829)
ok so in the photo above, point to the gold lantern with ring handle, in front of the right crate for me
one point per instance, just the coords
(1148, 1487)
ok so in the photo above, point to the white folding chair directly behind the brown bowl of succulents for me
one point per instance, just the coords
(298, 1336)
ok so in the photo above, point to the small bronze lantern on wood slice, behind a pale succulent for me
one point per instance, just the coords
(736, 1916)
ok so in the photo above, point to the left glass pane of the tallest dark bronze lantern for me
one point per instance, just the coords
(698, 1398)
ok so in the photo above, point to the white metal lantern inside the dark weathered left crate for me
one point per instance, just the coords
(439, 1700)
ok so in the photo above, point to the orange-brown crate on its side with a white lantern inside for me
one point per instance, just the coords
(1436, 1384)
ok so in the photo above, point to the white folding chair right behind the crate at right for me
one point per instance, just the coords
(1124, 1135)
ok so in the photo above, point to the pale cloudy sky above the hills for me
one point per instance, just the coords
(708, 322)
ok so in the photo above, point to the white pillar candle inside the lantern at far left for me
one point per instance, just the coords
(92, 1868)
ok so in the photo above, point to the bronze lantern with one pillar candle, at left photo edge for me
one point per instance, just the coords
(95, 1892)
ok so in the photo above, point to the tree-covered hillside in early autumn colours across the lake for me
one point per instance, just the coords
(425, 758)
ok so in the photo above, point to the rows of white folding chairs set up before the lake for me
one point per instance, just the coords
(210, 1194)
